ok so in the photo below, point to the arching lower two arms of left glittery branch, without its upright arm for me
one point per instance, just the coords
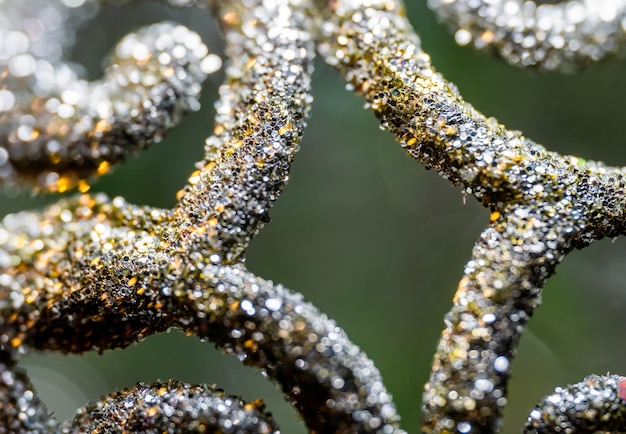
(97, 274)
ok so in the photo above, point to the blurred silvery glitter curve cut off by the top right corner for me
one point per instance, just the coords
(566, 35)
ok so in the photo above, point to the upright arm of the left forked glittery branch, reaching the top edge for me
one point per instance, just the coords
(260, 120)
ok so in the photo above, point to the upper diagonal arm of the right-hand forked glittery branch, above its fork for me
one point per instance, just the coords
(379, 55)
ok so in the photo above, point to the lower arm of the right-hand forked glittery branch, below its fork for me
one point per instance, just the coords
(501, 287)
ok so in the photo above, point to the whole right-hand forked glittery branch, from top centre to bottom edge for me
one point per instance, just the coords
(543, 205)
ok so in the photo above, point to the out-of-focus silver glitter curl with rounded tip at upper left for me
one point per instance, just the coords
(57, 130)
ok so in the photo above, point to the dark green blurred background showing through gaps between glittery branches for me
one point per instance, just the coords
(369, 236)
